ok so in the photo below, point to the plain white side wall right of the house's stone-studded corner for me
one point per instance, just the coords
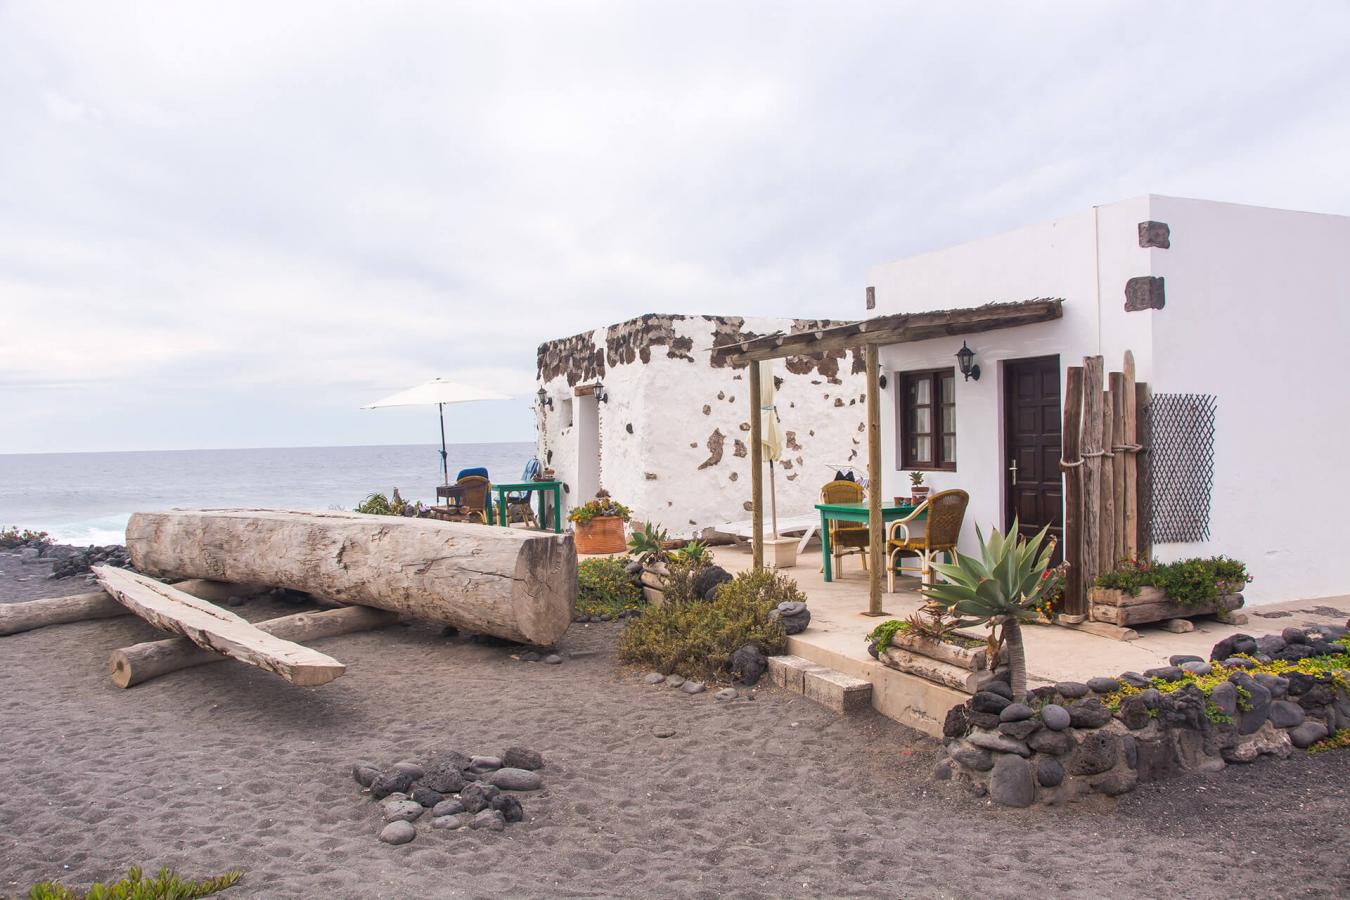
(1258, 315)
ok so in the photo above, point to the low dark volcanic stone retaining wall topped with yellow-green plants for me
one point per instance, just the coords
(1070, 740)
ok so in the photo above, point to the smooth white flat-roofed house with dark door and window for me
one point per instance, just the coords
(1247, 308)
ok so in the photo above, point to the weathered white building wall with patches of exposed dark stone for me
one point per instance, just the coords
(685, 461)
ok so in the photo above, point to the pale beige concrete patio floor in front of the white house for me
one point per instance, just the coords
(839, 625)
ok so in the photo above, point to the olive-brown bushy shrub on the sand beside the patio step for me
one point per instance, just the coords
(696, 639)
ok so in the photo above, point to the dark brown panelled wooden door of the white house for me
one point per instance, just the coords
(1032, 453)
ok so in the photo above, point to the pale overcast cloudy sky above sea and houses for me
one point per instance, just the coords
(232, 225)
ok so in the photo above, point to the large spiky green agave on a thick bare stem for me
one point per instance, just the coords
(1001, 588)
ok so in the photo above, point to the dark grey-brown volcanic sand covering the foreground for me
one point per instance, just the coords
(227, 767)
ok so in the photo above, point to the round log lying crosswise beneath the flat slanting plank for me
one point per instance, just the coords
(144, 662)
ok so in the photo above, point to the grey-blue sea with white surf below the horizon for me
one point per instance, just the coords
(87, 499)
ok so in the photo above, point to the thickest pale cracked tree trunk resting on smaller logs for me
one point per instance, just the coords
(511, 584)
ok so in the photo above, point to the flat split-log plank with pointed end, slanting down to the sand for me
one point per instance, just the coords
(217, 629)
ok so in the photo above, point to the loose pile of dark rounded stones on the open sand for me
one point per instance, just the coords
(452, 791)
